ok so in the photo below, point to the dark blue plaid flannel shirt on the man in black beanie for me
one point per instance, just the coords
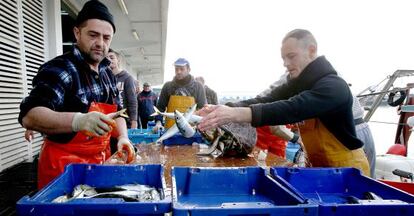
(67, 84)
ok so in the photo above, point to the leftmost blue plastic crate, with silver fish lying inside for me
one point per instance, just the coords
(98, 176)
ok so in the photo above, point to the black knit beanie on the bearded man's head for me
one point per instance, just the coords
(94, 9)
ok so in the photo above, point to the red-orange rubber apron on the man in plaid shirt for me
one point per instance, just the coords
(81, 149)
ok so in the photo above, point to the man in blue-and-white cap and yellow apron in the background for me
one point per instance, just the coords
(180, 93)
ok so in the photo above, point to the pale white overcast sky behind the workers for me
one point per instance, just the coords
(235, 44)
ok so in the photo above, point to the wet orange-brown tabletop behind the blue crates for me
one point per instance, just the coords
(185, 155)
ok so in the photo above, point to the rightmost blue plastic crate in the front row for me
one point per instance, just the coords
(344, 191)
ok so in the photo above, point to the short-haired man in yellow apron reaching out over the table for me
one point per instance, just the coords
(315, 96)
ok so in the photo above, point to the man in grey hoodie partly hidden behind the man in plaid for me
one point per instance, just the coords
(126, 88)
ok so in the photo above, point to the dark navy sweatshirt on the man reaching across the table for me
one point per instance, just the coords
(318, 92)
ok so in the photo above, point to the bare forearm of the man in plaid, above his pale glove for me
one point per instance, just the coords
(47, 121)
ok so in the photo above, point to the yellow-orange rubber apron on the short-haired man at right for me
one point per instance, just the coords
(324, 150)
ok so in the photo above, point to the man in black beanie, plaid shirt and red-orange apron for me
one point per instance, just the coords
(72, 98)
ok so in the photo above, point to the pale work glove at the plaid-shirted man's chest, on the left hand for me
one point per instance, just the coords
(92, 123)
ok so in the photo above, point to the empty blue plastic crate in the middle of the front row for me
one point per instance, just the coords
(233, 191)
